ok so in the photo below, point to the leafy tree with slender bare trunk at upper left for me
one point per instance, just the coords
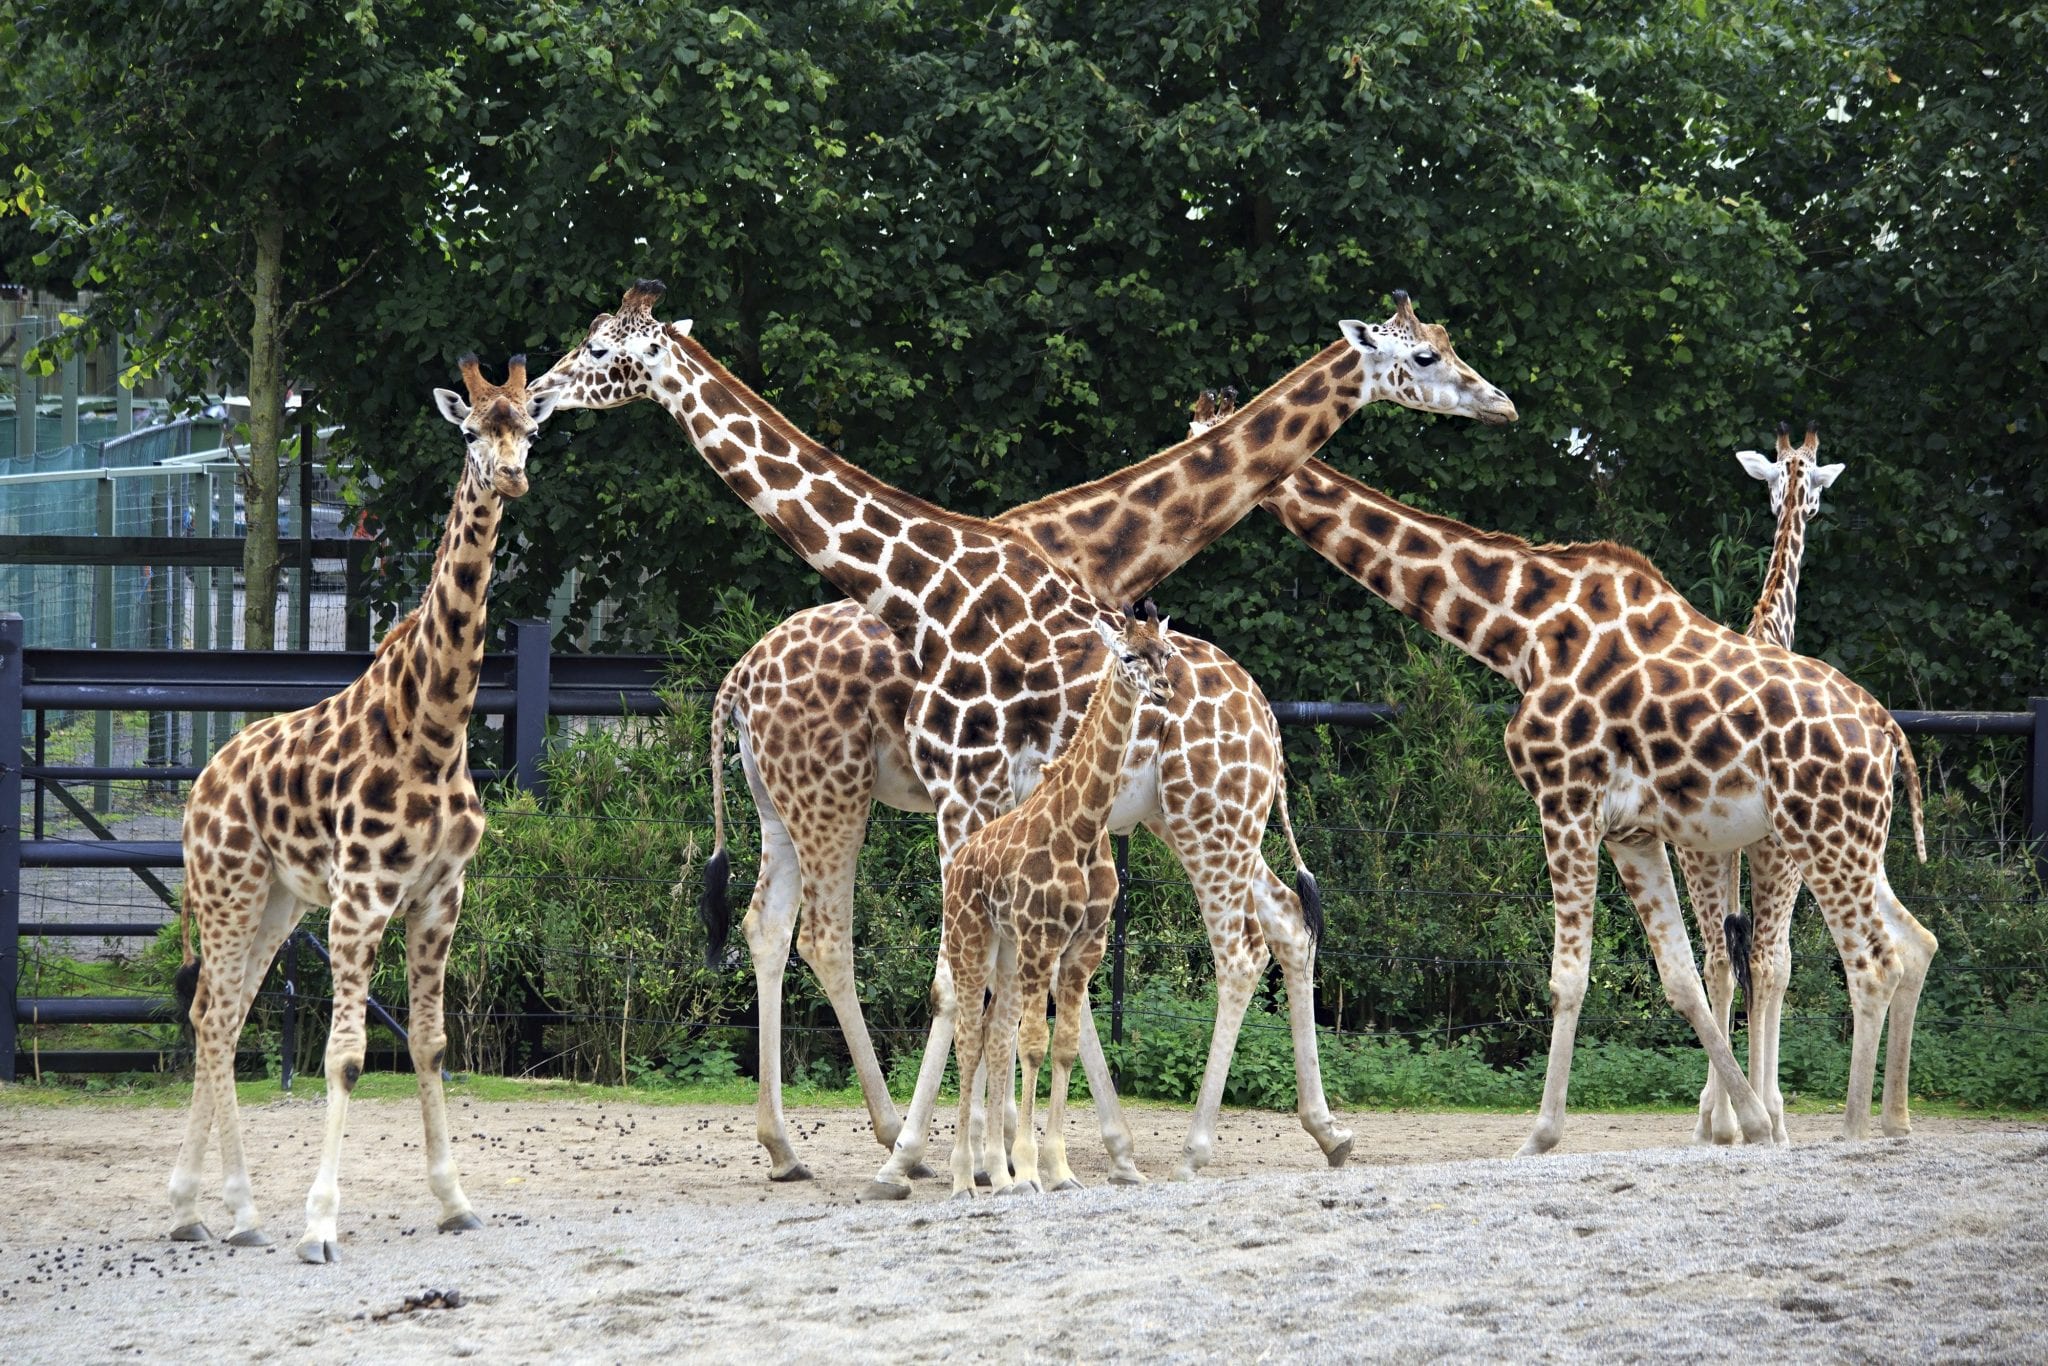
(226, 173)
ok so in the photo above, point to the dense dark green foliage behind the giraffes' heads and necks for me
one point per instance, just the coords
(992, 253)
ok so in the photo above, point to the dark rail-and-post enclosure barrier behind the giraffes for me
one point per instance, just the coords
(525, 685)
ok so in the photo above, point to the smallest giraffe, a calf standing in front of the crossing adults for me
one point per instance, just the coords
(1029, 902)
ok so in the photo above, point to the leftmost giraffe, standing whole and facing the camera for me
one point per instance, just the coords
(361, 804)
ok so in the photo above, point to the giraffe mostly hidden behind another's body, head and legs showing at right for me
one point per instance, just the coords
(1764, 962)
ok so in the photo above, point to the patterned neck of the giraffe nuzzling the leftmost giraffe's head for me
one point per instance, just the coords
(904, 560)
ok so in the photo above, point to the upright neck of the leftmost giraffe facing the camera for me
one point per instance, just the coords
(431, 683)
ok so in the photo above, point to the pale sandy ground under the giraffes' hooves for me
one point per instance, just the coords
(636, 1234)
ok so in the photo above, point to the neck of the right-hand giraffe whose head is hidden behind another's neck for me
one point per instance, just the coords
(1486, 593)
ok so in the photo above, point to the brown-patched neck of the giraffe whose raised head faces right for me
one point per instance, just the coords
(1121, 536)
